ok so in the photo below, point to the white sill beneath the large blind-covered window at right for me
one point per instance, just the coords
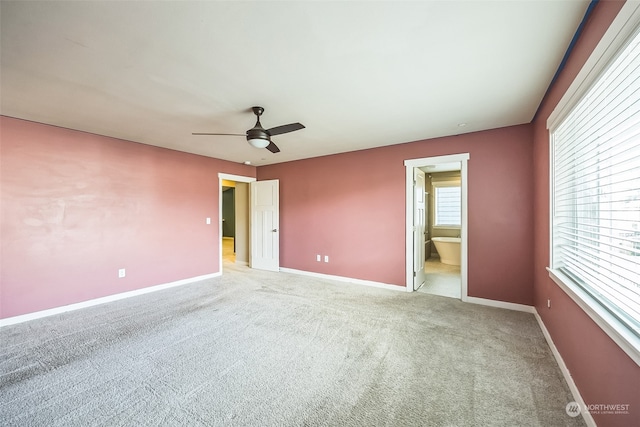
(618, 332)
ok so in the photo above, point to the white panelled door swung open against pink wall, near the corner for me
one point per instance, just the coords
(265, 222)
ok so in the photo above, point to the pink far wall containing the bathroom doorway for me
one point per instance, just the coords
(352, 207)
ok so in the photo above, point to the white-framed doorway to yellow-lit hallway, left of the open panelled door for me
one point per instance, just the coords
(234, 244)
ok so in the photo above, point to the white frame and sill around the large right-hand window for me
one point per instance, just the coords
(614, 40)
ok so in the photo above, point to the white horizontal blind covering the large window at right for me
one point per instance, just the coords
(596, 190)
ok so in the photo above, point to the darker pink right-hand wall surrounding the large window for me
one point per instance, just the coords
(601, 370)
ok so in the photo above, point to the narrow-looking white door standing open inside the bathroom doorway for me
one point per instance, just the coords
(419, 219)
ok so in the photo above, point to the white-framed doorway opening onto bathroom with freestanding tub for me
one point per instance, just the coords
(445, 226)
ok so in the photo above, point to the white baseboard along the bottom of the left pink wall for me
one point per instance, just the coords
(84, 304)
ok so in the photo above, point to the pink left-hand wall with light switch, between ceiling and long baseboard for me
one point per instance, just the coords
(77, 207)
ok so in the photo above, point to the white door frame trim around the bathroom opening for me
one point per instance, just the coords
(410, 165)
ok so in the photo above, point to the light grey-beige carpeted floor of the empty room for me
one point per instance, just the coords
(256, 348)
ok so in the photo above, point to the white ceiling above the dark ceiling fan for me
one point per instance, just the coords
(357, 74)
